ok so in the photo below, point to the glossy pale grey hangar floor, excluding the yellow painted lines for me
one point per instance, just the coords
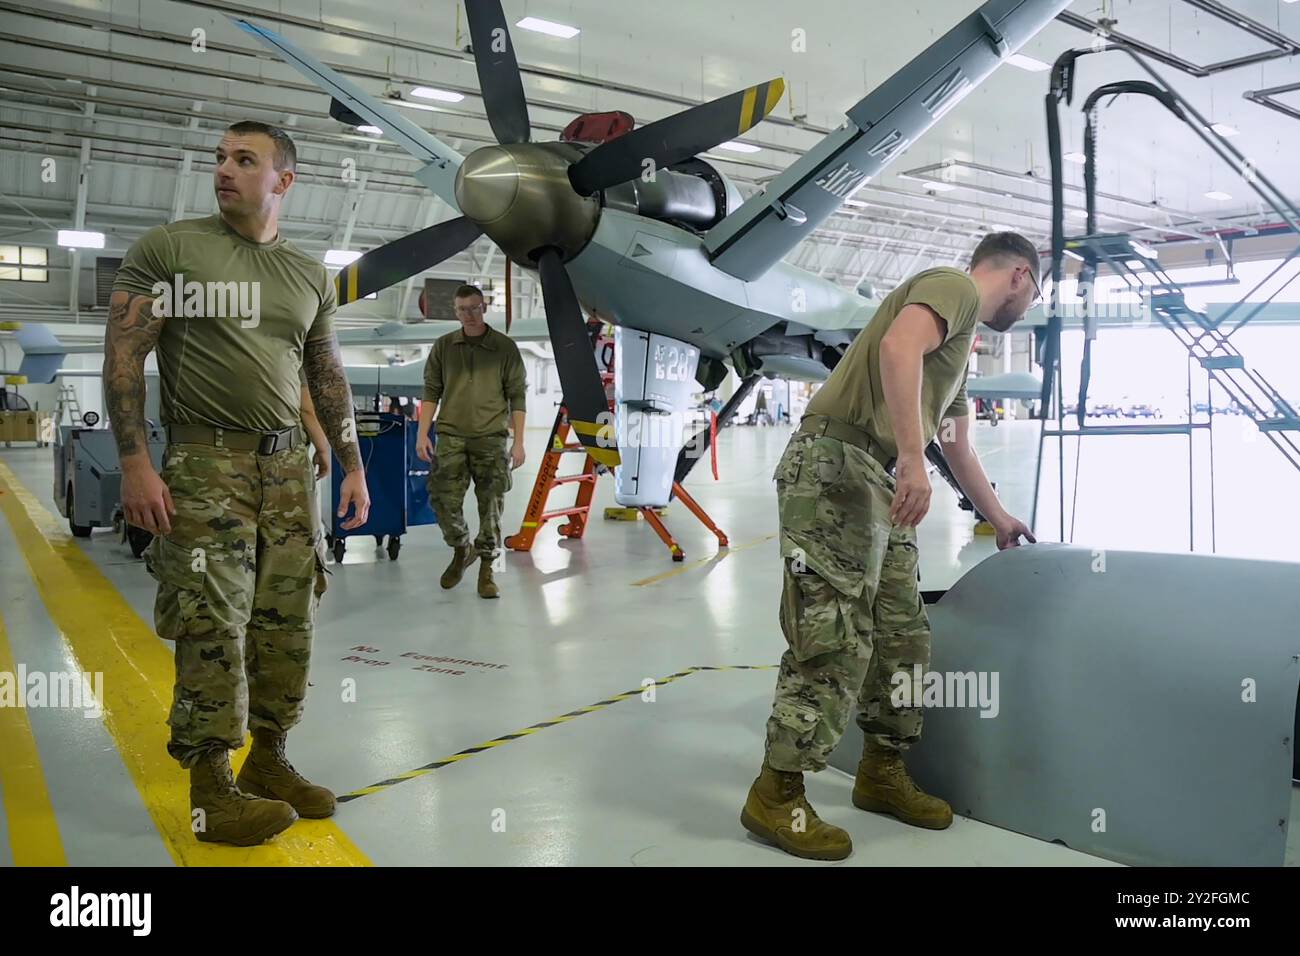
(642, 784)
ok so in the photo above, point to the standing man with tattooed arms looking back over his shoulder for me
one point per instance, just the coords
(237, 553)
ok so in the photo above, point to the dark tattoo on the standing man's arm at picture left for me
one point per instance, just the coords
(133, 331)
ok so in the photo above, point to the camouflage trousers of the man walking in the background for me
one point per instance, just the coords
(457, 462)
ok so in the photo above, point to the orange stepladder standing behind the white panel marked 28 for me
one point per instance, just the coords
(549, 478)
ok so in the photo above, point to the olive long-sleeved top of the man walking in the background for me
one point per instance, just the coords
(475, 382)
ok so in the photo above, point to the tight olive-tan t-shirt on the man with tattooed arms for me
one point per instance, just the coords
(231, 351)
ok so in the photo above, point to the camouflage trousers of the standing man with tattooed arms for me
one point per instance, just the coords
(240, 578)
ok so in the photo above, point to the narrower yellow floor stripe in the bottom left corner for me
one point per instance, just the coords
(33, 829)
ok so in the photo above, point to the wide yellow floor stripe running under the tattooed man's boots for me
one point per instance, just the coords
(106, 635)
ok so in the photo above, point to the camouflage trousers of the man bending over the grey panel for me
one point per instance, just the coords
(851, 605)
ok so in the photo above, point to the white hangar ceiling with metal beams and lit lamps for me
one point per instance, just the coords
(119, 92)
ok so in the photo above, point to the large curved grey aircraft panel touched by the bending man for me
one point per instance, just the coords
(1121, 690)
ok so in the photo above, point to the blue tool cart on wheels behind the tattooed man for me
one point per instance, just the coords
(396, 478)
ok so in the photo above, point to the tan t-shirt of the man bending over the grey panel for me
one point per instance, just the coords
(855, 395)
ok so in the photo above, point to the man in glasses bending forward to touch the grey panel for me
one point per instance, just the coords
(851, 609)
